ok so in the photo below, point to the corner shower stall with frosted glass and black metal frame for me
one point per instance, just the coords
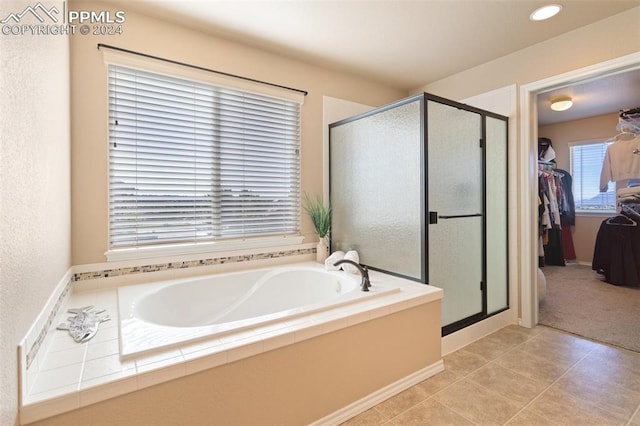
(419, 189)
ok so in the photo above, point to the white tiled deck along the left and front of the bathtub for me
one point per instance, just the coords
(73, 376)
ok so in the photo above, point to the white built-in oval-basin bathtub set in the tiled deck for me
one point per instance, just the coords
(161, 315)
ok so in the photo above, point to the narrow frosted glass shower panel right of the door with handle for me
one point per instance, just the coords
(496, 214)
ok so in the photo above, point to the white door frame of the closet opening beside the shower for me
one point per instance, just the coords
(527, 166)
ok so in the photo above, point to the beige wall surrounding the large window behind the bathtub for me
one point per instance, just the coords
(156, 37)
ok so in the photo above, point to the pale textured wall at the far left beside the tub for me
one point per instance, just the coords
(34, 187)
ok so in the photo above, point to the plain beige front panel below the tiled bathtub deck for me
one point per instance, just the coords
(293, 385)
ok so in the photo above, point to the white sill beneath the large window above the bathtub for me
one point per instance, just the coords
(199, 248)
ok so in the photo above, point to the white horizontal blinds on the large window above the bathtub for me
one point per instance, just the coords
(192, 162)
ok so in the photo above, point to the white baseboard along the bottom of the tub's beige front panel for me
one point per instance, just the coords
(379, 396)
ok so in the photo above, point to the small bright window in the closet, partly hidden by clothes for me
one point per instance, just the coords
(586, 166)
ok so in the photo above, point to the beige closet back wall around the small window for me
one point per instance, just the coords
(561, 134)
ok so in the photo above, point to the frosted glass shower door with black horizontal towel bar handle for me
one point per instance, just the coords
(456, 212)
